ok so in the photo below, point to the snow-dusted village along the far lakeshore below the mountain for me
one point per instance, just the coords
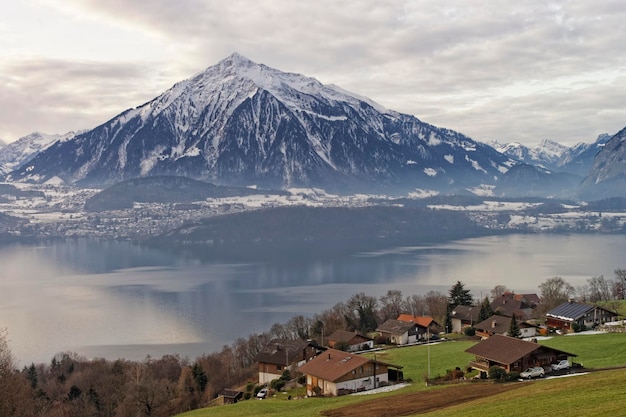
(53, 211)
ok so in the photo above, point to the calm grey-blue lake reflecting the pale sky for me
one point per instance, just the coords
(118, 300)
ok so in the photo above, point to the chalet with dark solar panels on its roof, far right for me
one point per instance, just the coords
(570, 315)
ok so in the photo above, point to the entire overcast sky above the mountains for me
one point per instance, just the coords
(493, 70)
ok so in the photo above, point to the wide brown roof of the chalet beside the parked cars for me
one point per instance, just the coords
(506, 350)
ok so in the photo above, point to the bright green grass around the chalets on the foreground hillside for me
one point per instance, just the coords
(595, 393)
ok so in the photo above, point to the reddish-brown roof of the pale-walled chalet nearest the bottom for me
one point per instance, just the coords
(333, 364)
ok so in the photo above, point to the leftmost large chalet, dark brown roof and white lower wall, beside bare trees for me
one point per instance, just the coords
(281, 354)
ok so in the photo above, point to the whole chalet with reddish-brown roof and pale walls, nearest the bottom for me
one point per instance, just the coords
(336, 372)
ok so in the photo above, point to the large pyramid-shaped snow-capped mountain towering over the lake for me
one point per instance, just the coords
(242, 123)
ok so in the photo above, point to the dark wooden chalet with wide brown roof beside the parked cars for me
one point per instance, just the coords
(512, 354)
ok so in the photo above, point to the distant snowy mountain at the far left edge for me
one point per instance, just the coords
(22, 150)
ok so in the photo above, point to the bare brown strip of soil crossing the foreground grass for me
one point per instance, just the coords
(420, 402)
